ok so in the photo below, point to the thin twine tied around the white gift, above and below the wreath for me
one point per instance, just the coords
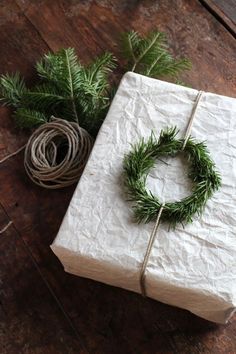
(157, 223)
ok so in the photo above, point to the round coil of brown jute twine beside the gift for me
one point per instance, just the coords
(56, 153)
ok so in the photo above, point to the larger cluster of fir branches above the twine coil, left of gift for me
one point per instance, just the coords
(66, 89)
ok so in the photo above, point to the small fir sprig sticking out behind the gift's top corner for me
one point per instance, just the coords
(150, 56)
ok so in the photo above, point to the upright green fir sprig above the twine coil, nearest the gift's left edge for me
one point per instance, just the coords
(82, 90)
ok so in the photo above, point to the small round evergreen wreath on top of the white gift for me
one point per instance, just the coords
(141, 159)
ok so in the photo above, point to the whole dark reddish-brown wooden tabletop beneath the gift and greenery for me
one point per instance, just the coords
(43, 309)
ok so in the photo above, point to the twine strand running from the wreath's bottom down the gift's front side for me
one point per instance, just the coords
(148, 251)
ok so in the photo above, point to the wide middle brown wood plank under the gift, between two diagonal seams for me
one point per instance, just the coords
(109, 320)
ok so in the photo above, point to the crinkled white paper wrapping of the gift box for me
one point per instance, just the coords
(193, 267)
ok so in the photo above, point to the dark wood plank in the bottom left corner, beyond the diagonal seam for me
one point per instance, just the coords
(30, 319)
